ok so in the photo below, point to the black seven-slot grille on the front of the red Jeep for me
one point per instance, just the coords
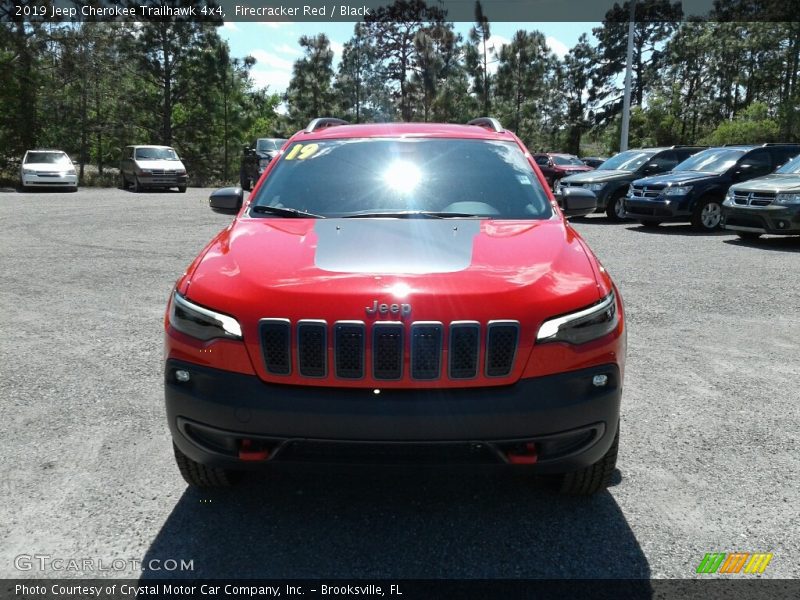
(304, 347)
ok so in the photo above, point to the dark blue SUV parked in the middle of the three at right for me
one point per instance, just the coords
(695, 189)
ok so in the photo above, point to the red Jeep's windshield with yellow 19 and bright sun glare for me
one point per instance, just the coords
(446, 177)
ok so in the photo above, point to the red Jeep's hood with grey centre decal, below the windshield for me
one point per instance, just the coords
(446, 270)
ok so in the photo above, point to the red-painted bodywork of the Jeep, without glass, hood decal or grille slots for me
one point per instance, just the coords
(527, 271)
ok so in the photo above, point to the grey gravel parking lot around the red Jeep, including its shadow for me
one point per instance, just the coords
(708, 459)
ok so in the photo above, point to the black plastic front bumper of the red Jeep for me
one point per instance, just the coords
(571, 421)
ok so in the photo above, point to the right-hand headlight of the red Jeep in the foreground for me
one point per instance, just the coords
(582, 326)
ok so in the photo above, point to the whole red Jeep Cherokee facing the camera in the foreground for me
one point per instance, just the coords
(397, 292)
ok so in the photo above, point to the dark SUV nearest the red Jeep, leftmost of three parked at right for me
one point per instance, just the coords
(610, 180)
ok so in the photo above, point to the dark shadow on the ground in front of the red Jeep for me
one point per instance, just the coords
(317, 521)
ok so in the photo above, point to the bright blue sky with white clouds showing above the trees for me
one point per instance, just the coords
(275, 48)
